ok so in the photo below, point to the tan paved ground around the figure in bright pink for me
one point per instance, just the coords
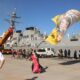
(58, 69)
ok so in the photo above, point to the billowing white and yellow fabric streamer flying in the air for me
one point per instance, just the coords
(63, 22)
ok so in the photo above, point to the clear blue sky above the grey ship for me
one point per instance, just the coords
(37, 13)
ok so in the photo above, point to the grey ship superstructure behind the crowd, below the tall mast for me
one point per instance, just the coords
(31, 37)
